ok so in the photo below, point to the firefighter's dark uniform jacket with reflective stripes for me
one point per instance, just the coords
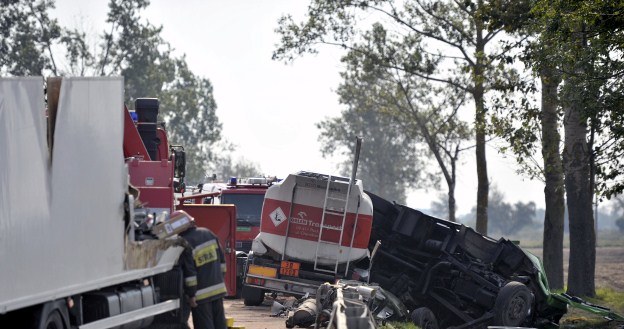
(203, 265)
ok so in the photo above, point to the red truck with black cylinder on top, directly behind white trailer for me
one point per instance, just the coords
(157, 170)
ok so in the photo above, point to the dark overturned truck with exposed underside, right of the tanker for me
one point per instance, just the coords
(451, 276)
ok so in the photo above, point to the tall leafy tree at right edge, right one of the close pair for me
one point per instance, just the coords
(586, 39)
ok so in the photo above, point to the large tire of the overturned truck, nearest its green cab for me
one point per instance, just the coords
(513, 305)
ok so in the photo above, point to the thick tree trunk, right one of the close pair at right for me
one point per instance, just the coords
(576, 156)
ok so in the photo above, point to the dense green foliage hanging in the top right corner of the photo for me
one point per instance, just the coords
(587, 39)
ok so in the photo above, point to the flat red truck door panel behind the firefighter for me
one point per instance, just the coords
(221, 220)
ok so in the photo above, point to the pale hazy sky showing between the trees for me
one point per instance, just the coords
(269, 109)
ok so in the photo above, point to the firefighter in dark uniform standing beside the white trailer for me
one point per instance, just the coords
(203, 265)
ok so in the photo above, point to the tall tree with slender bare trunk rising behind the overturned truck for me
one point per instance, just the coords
(452, 34)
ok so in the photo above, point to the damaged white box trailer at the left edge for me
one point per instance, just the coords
(66, 259)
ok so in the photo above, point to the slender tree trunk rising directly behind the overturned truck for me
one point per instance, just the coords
(483, 184)
